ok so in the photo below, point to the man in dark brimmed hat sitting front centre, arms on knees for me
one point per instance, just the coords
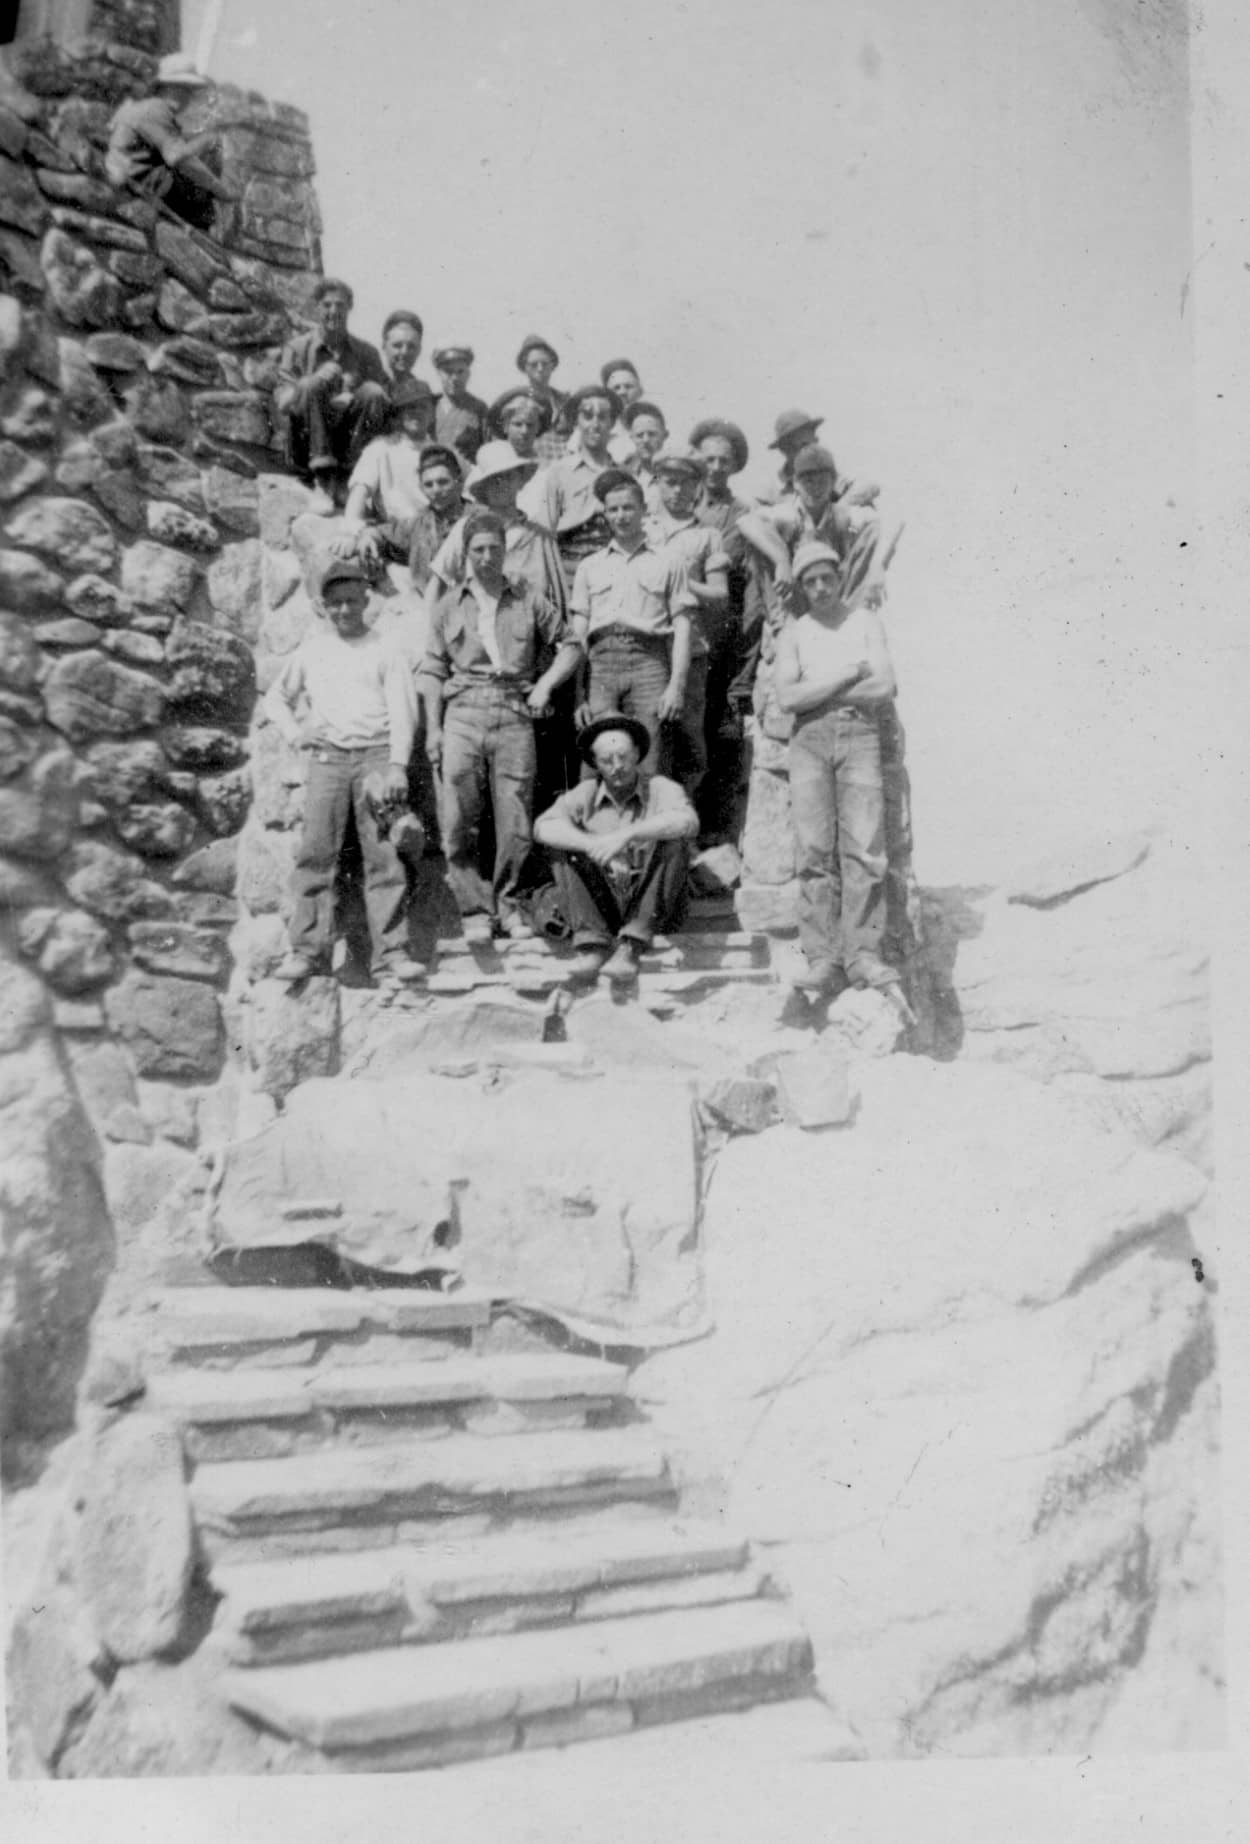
(620, 849)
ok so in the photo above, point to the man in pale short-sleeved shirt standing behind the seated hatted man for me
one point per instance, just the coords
(633, 609)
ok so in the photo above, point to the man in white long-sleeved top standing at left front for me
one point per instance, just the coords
(346, 696)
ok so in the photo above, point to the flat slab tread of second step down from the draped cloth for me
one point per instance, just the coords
(281, 1395)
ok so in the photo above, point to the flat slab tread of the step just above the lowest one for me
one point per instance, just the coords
(268, 1596)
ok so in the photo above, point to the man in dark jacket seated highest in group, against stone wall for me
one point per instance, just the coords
(333, 394)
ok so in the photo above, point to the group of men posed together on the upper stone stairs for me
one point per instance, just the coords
(593, 604)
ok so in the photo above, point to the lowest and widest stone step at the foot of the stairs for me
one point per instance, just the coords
(414, 1707)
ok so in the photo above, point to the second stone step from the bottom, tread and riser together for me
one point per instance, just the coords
(318, 1607)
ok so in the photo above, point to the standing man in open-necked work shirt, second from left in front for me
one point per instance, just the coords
(495, 656)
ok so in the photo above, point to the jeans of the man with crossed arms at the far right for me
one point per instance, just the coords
(838, 805)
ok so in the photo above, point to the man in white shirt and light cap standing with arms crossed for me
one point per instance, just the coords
(832, 674)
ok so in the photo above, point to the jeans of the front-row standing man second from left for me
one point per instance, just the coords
(488, 755)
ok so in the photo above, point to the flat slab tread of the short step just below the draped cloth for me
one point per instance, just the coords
(191, 1318)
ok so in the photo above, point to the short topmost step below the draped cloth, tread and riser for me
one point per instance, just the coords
(266, 1327)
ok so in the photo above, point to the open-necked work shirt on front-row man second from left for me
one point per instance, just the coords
(528, 630)
